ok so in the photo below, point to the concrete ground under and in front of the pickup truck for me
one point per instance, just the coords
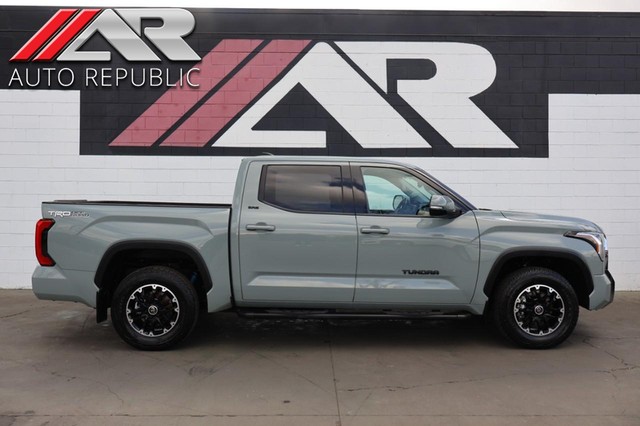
(58, 367)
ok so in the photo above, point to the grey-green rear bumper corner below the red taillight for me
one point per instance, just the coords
(51, 283)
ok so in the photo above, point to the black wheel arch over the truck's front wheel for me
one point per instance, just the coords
(564, 262)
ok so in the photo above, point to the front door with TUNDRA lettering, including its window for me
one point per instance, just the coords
(404, 255)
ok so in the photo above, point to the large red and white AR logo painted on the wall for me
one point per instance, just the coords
(241, 81)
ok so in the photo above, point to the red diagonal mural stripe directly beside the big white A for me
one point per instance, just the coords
(236, 94)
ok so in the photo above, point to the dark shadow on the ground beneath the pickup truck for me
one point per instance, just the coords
(228, 330)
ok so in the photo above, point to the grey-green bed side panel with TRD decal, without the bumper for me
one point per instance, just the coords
(79, 242)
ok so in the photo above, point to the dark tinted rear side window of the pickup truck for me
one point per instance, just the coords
(303, 188)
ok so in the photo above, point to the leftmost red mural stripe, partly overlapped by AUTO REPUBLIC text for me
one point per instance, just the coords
(175, 102)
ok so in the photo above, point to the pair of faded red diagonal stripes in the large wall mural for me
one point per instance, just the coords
(232, 75)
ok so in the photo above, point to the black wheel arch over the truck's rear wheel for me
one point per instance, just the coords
(139, 253)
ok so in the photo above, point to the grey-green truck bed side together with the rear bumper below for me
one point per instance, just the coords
(86, 233)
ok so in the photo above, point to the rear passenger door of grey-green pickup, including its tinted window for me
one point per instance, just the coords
(297, 234)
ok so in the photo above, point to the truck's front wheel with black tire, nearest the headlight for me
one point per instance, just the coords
(535, 308)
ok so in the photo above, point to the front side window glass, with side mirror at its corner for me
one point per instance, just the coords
(394, 191)
